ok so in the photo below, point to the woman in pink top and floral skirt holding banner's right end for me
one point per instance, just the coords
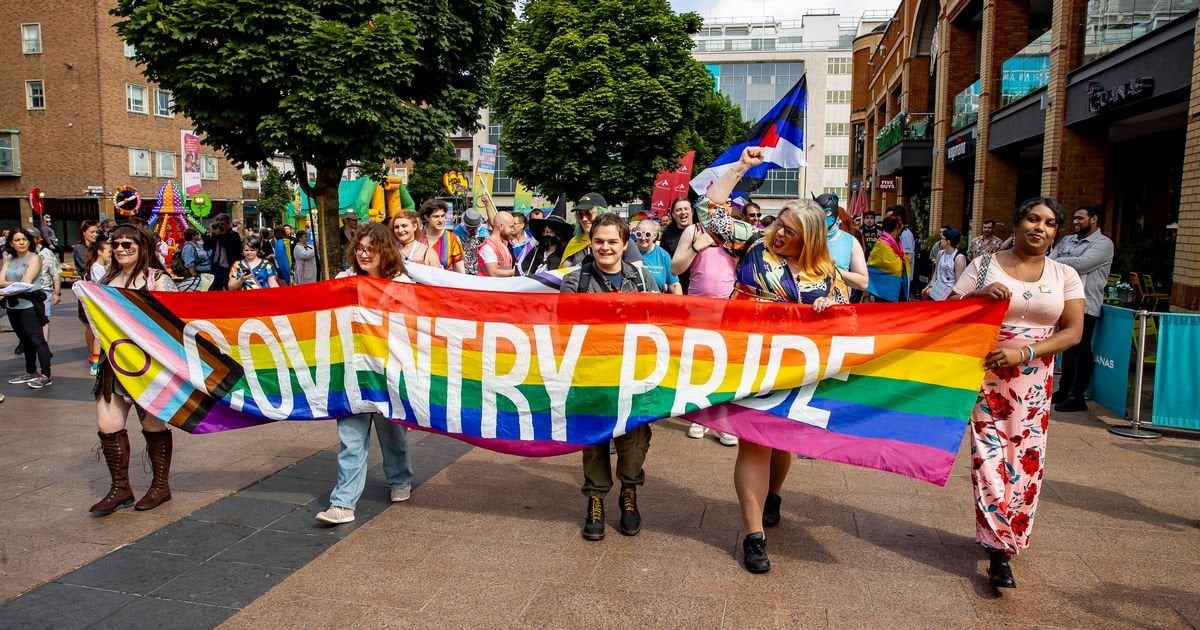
(1009, 425)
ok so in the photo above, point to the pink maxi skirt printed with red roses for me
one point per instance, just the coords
(1009, 439)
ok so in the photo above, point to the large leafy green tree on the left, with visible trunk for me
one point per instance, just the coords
(329, 83)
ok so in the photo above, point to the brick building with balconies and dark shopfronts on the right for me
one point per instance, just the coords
(976, 106)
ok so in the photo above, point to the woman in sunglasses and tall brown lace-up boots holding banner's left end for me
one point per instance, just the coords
(134, 267)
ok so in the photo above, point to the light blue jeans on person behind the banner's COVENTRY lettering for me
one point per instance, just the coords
(355, 434)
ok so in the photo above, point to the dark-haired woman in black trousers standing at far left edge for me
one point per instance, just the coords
(27, 310)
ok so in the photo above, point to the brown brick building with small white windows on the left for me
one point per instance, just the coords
(79, 121)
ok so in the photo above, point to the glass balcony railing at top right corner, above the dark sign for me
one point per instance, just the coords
(1112, 25)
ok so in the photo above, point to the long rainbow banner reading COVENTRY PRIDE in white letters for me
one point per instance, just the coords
(889, 387)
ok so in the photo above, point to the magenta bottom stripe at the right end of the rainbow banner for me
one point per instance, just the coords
(917, 461)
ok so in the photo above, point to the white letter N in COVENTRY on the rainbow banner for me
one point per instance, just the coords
(416, 369)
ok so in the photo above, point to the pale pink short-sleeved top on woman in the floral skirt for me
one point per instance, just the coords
(1034, 304)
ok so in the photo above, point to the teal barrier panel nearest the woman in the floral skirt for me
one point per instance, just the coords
(1112, 345)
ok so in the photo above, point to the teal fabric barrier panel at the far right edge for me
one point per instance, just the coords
(1178, 373)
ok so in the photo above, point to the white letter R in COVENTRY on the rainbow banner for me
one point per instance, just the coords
(494, 385)
